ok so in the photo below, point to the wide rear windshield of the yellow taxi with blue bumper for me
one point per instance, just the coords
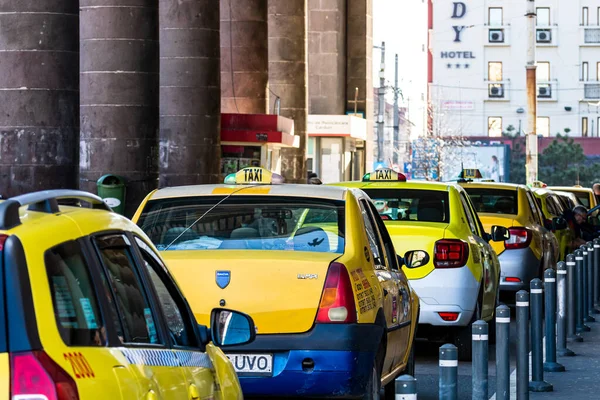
(245, 223)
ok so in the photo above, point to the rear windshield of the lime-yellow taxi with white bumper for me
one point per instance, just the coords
(411, 205)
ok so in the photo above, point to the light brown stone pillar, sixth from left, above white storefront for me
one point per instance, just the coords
(327, 57)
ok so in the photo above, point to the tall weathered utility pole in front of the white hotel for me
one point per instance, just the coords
(531, 163)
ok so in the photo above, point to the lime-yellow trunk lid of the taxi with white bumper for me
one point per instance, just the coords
(418, 236)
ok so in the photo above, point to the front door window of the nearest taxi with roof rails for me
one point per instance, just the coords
(172, 304)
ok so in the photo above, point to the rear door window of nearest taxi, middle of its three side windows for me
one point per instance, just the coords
(131, 301)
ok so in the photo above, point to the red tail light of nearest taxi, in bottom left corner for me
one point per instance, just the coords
(34, 375)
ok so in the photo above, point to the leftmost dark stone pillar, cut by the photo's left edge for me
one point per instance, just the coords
(39, 95)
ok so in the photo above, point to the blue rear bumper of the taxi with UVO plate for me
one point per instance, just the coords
(331, 360)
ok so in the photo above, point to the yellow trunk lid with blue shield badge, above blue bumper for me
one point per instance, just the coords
(280, 290)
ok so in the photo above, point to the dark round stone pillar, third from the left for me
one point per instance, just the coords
(190, 93)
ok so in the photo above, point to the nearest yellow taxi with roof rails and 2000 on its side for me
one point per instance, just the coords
(89, 310)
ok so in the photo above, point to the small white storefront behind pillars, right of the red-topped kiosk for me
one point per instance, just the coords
(336, 147)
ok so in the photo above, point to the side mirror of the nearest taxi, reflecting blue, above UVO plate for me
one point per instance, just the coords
(231, 328)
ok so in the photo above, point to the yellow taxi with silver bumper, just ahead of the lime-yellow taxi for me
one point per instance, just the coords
(531, 247)
